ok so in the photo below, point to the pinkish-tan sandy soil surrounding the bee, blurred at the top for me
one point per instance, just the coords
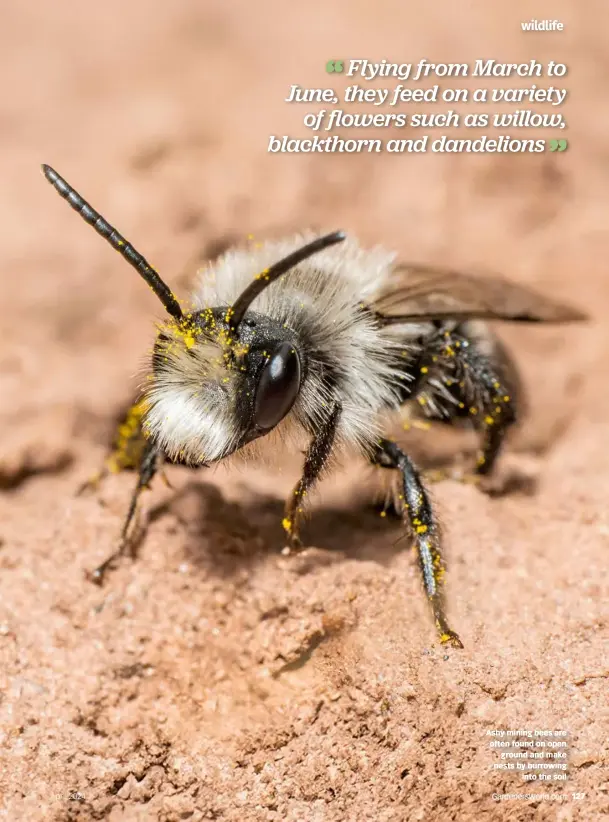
(215, 678)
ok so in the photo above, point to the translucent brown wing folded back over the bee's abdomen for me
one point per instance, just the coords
(419, 292)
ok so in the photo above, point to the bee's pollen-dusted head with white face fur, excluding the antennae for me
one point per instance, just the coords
(215, 388)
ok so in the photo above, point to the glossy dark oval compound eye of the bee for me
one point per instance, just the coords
(278, 387)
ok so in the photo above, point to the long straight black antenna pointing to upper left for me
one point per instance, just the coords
(116, 240)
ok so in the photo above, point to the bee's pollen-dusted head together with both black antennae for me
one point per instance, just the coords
(222, 377)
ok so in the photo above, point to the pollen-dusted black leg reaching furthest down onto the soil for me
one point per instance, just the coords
(419, 517)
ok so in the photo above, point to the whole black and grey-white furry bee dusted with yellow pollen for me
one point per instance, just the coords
(317, 340)
